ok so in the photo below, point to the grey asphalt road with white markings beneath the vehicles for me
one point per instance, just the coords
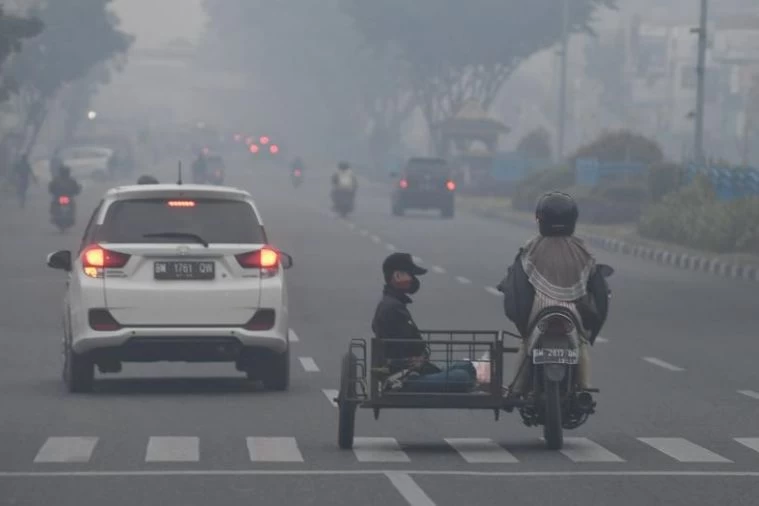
(677, 412)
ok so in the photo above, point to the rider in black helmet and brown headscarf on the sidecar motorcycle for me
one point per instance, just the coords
(555, 269)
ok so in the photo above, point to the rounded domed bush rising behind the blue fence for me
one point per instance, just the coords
(621, 146)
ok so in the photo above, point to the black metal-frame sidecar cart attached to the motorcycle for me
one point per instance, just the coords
(388, 384)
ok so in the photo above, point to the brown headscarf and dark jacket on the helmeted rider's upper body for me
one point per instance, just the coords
(555, 271)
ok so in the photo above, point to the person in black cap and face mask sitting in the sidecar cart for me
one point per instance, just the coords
(408, 362)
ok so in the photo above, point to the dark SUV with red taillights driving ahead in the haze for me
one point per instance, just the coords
(425, 183)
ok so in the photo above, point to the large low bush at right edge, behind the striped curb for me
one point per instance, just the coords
(694, 217)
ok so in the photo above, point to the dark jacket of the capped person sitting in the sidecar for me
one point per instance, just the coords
(392, 320)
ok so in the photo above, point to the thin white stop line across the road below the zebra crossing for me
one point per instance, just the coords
(372, 472)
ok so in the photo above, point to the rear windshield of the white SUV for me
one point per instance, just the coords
(214, 220)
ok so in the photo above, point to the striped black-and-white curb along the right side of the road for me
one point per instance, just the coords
(685, 261)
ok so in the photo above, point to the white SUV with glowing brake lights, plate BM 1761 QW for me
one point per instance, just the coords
(172, 272)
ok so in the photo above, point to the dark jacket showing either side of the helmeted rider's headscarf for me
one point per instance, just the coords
(519, 295)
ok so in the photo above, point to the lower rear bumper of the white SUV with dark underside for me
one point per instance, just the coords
(148, 344)
